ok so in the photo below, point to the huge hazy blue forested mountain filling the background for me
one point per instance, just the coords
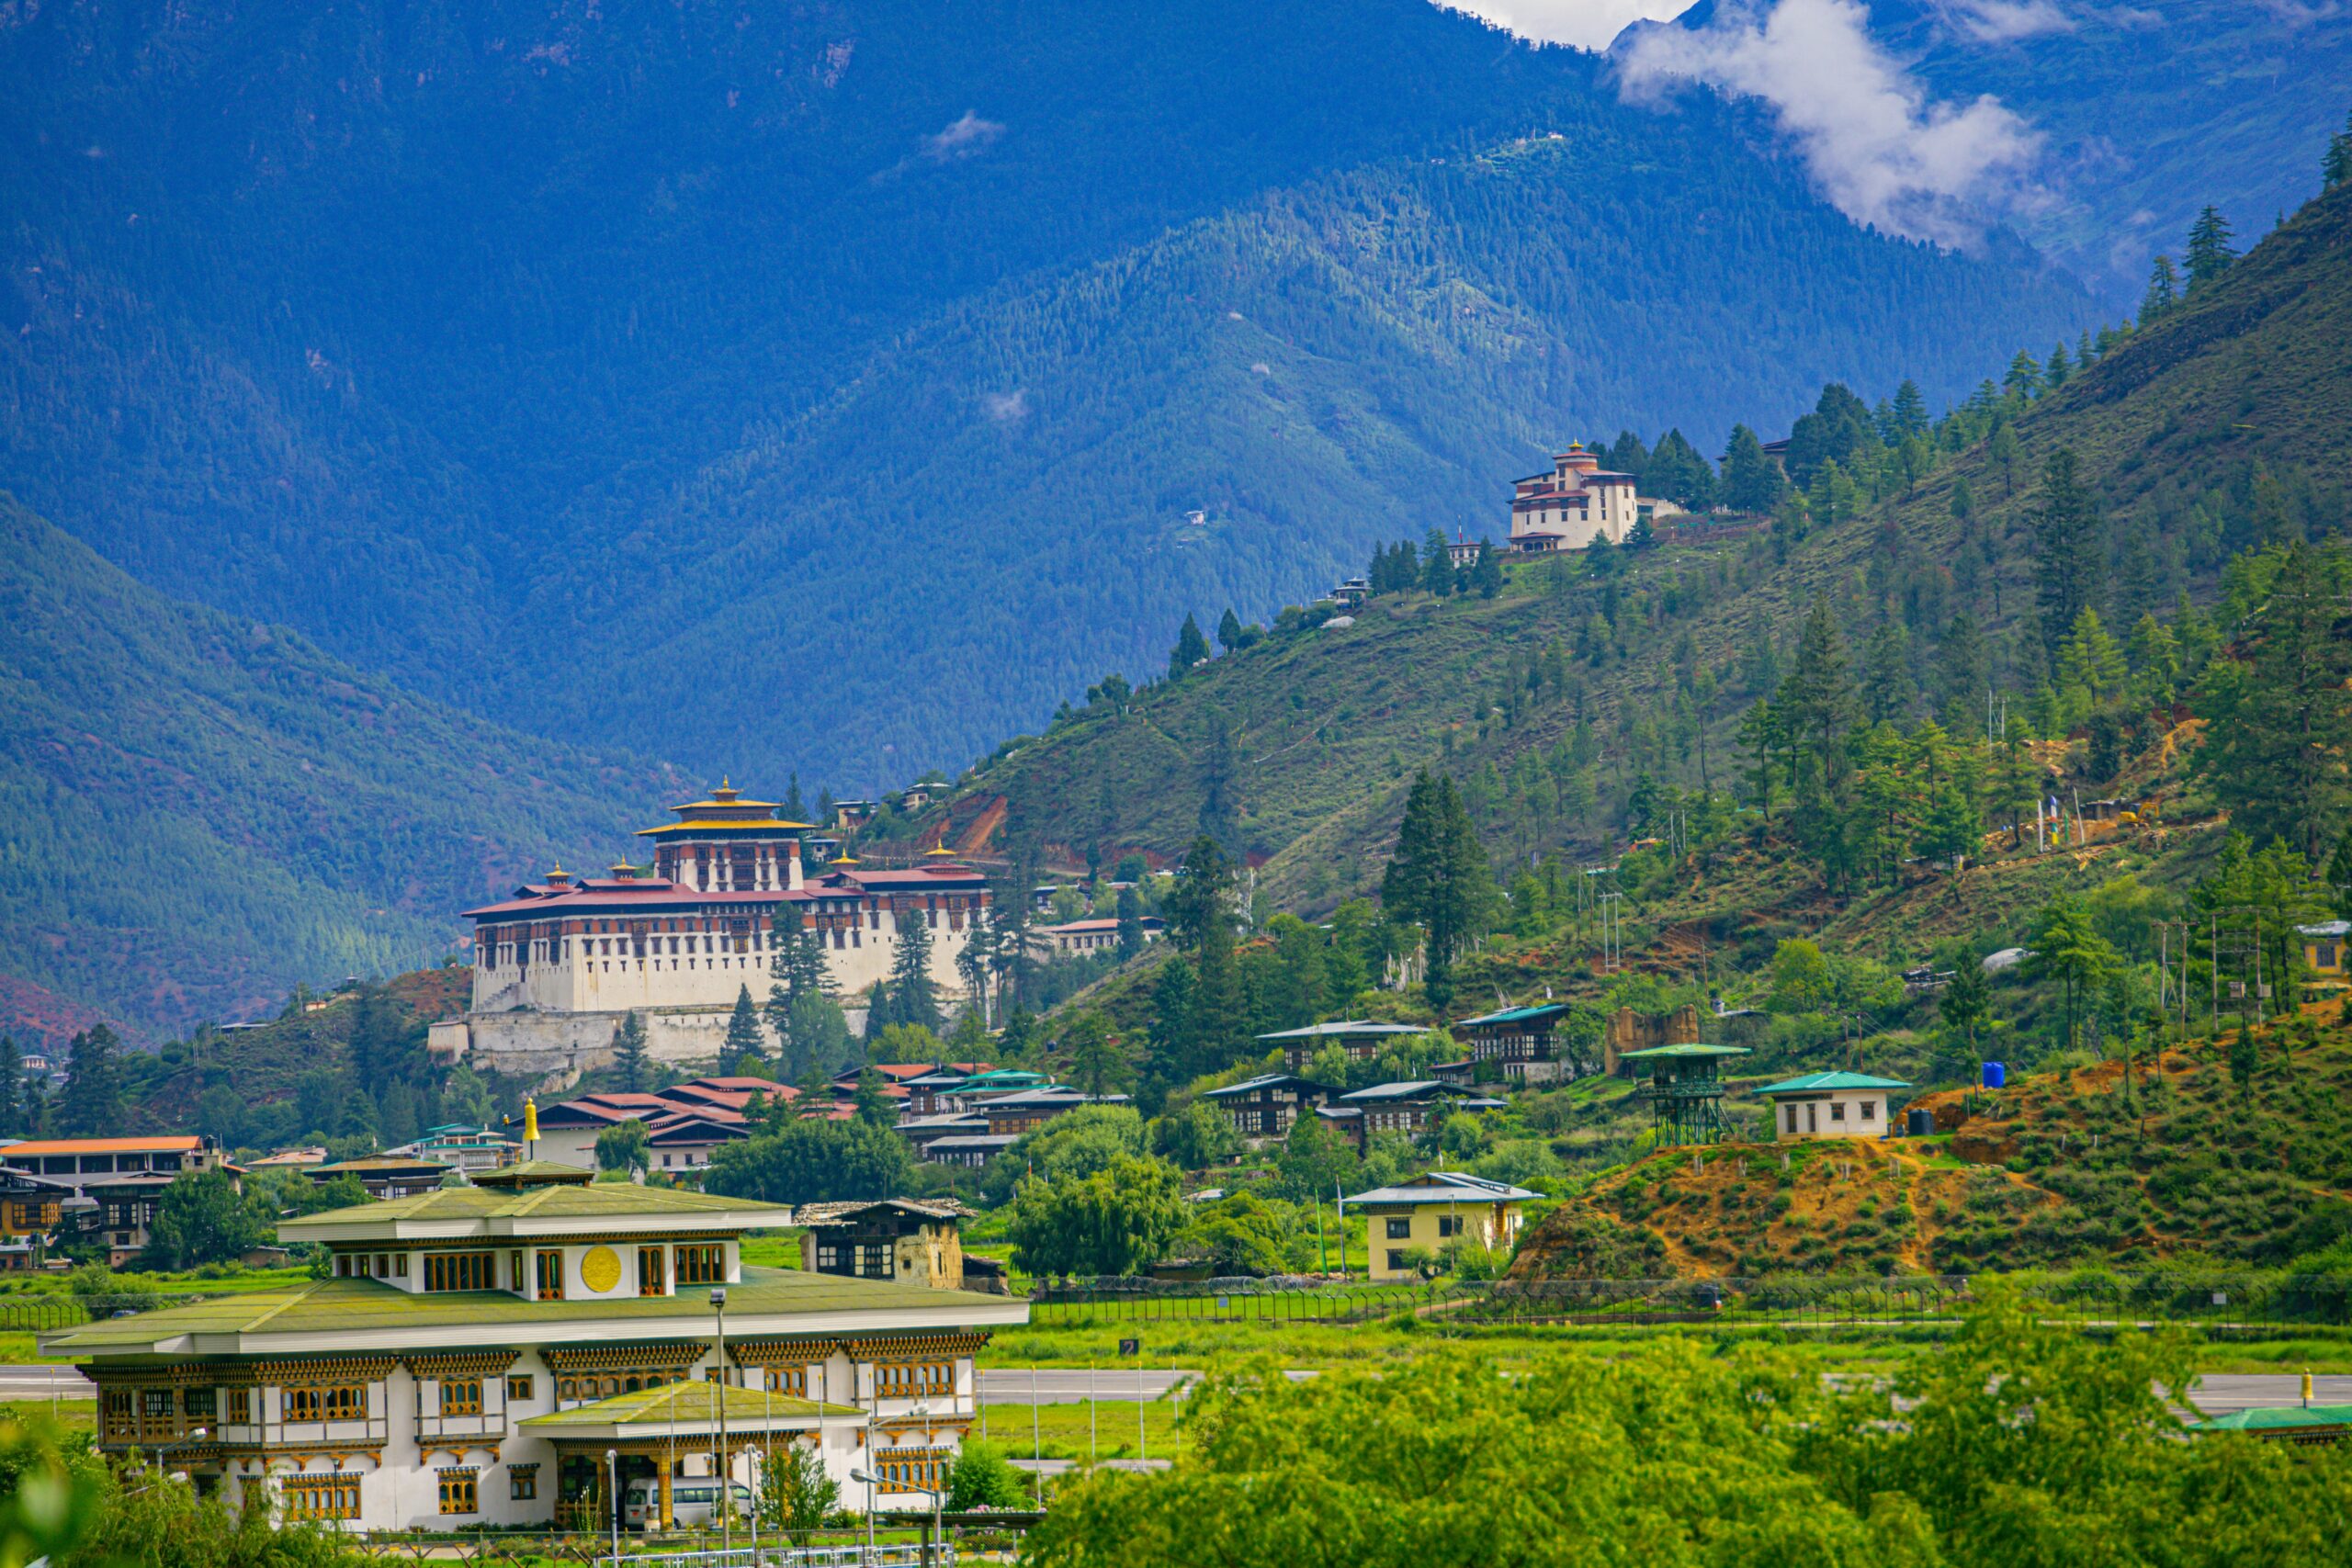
(867, 354)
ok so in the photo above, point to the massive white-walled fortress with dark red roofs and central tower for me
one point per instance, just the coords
(561, 963)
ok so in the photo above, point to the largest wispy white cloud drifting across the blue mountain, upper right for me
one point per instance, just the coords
(1876, 145)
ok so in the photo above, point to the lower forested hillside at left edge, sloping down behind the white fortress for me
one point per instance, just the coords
(199, 812)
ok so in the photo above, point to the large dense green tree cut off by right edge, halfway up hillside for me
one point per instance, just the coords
(2280, 718)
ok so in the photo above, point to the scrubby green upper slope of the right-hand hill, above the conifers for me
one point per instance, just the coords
(2219, 427)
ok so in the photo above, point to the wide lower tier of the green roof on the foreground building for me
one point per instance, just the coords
(328, 1306)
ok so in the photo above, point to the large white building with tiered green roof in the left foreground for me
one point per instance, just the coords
(476, 1351)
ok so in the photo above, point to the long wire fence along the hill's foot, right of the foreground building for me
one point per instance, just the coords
(2092, 1299)
